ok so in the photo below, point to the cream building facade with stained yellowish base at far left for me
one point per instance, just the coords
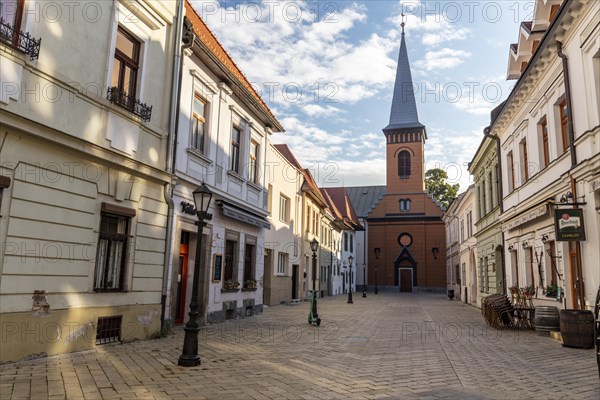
(82, 178)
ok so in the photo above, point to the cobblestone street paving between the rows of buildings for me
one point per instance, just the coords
(409, 346)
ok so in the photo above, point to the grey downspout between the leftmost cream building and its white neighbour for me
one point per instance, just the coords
(170, 161)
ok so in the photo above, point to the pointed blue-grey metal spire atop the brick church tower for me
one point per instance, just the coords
(404, 108)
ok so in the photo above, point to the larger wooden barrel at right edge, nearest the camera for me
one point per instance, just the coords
(577, 328)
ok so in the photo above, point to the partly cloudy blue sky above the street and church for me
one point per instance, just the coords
(326, 70)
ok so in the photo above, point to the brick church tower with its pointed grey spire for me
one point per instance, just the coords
(405, 135)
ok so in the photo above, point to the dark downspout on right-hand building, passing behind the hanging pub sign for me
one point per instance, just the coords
(571, 126)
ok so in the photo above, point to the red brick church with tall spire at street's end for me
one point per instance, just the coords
(404, 246)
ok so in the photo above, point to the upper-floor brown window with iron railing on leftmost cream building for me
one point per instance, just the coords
(126, 63)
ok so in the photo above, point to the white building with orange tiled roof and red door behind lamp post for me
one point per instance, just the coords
(222, 140)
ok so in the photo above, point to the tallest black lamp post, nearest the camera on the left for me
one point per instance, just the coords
(189, 356)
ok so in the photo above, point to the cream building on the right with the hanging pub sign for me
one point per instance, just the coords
(549, 129)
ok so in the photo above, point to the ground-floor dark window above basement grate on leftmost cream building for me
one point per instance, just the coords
(112, 252)
